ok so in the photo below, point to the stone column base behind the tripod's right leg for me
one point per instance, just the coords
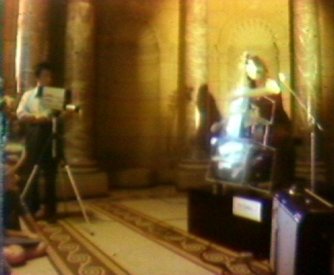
(90, 181)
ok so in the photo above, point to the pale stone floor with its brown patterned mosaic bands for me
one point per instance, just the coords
(141, 232)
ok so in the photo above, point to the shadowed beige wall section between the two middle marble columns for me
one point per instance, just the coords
(137, 45)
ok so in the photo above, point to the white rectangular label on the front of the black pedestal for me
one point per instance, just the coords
(247, 208)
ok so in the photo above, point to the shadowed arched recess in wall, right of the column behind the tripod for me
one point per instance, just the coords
(128, 87)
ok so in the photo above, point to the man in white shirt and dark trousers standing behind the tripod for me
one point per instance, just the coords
(37, 118)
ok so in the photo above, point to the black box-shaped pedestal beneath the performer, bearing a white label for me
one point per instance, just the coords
(210, 216)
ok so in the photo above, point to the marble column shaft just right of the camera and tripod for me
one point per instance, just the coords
(79, 67)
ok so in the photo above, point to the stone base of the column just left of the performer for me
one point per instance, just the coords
(191, 173)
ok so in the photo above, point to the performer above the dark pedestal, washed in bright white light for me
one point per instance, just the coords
(256, 116)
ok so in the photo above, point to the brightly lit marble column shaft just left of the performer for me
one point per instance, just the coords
(195, 68)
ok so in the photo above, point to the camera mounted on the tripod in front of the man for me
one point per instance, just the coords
(57, 99)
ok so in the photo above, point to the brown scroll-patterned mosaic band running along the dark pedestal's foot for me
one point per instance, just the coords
(210, 256)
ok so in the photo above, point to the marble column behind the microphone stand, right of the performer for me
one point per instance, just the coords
(307, 82)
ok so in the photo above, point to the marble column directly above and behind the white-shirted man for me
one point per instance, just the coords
(32, 44)
